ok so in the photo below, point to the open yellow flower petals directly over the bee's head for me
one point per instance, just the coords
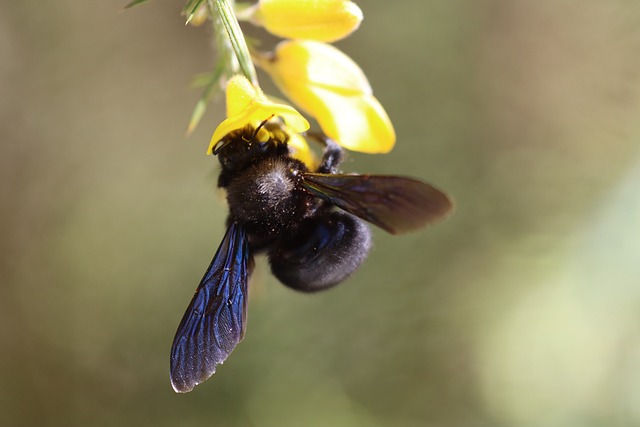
(246, 104)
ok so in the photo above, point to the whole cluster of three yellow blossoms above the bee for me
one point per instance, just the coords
(315, 76)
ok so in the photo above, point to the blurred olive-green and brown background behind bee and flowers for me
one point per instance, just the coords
(523, 309)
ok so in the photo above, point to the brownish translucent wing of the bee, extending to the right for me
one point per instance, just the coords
(393, 203)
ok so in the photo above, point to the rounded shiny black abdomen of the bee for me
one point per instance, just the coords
(325, 251)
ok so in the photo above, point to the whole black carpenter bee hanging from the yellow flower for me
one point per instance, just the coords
(309, 223)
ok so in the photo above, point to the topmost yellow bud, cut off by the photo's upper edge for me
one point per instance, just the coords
(322, 20)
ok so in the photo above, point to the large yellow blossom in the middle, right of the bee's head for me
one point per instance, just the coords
(328, 85)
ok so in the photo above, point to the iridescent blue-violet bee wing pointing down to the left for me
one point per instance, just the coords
(214, 322)
